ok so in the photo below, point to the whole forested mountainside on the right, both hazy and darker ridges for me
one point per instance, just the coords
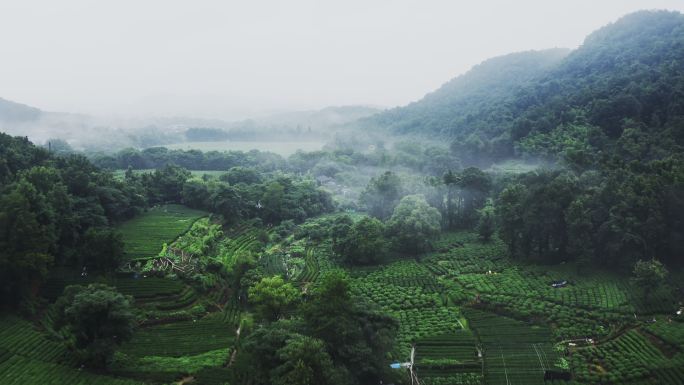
(625, 75)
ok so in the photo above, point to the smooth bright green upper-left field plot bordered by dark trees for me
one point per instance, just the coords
(145, 234)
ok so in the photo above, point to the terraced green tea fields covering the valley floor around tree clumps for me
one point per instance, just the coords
(473, 315)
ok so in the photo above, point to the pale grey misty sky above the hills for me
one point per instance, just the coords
(233, 59)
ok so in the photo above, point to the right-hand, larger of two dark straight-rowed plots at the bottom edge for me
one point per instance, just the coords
(514, 353)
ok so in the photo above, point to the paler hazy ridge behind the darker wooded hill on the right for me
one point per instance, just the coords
(470, 107)
